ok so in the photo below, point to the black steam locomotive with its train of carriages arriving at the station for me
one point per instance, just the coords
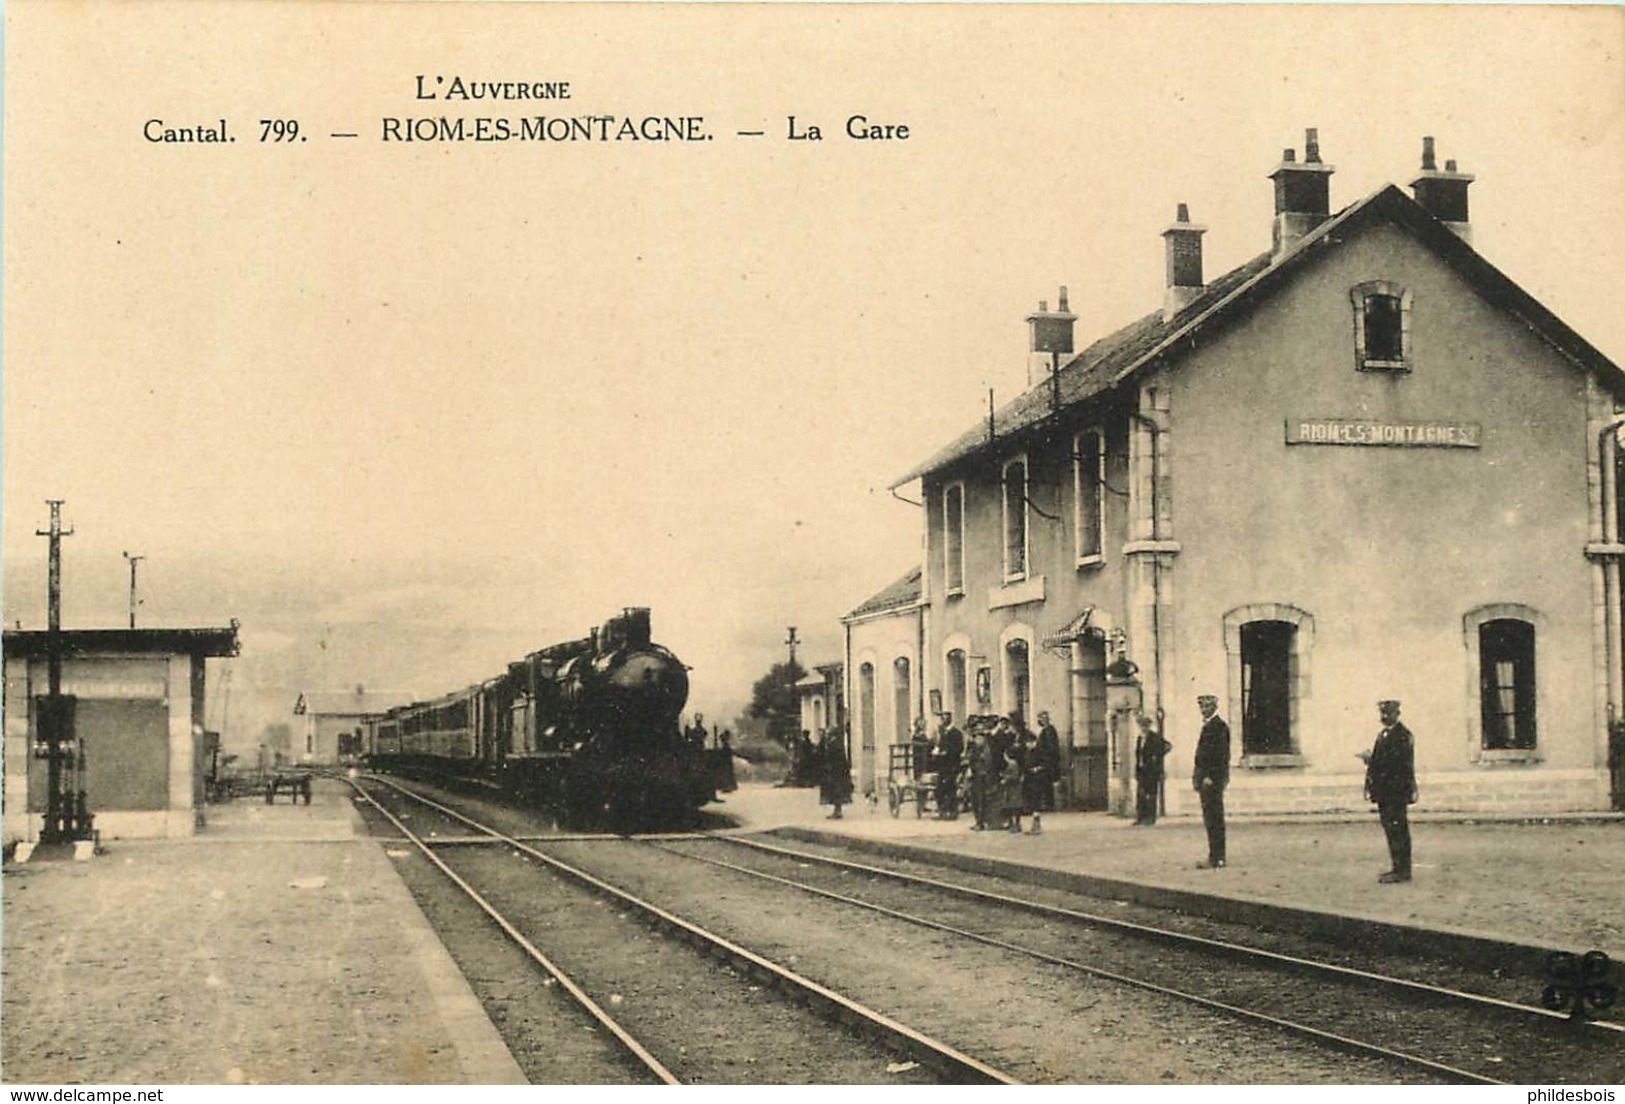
(587, 729)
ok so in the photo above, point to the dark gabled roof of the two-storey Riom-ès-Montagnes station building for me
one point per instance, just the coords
(1120, 355)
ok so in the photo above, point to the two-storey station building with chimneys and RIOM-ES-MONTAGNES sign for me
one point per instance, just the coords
(1364, 464)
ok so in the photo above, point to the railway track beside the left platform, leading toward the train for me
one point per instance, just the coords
(927, 1058)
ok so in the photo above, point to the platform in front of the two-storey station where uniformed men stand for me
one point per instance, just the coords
(1538, 884)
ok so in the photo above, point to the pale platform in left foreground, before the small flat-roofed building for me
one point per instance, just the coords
(275, 947)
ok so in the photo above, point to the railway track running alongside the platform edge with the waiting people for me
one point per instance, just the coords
(1346, 1007)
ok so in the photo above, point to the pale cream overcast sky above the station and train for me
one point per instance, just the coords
(410, 412)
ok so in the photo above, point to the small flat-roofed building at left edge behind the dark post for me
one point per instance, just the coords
(137, 721)
